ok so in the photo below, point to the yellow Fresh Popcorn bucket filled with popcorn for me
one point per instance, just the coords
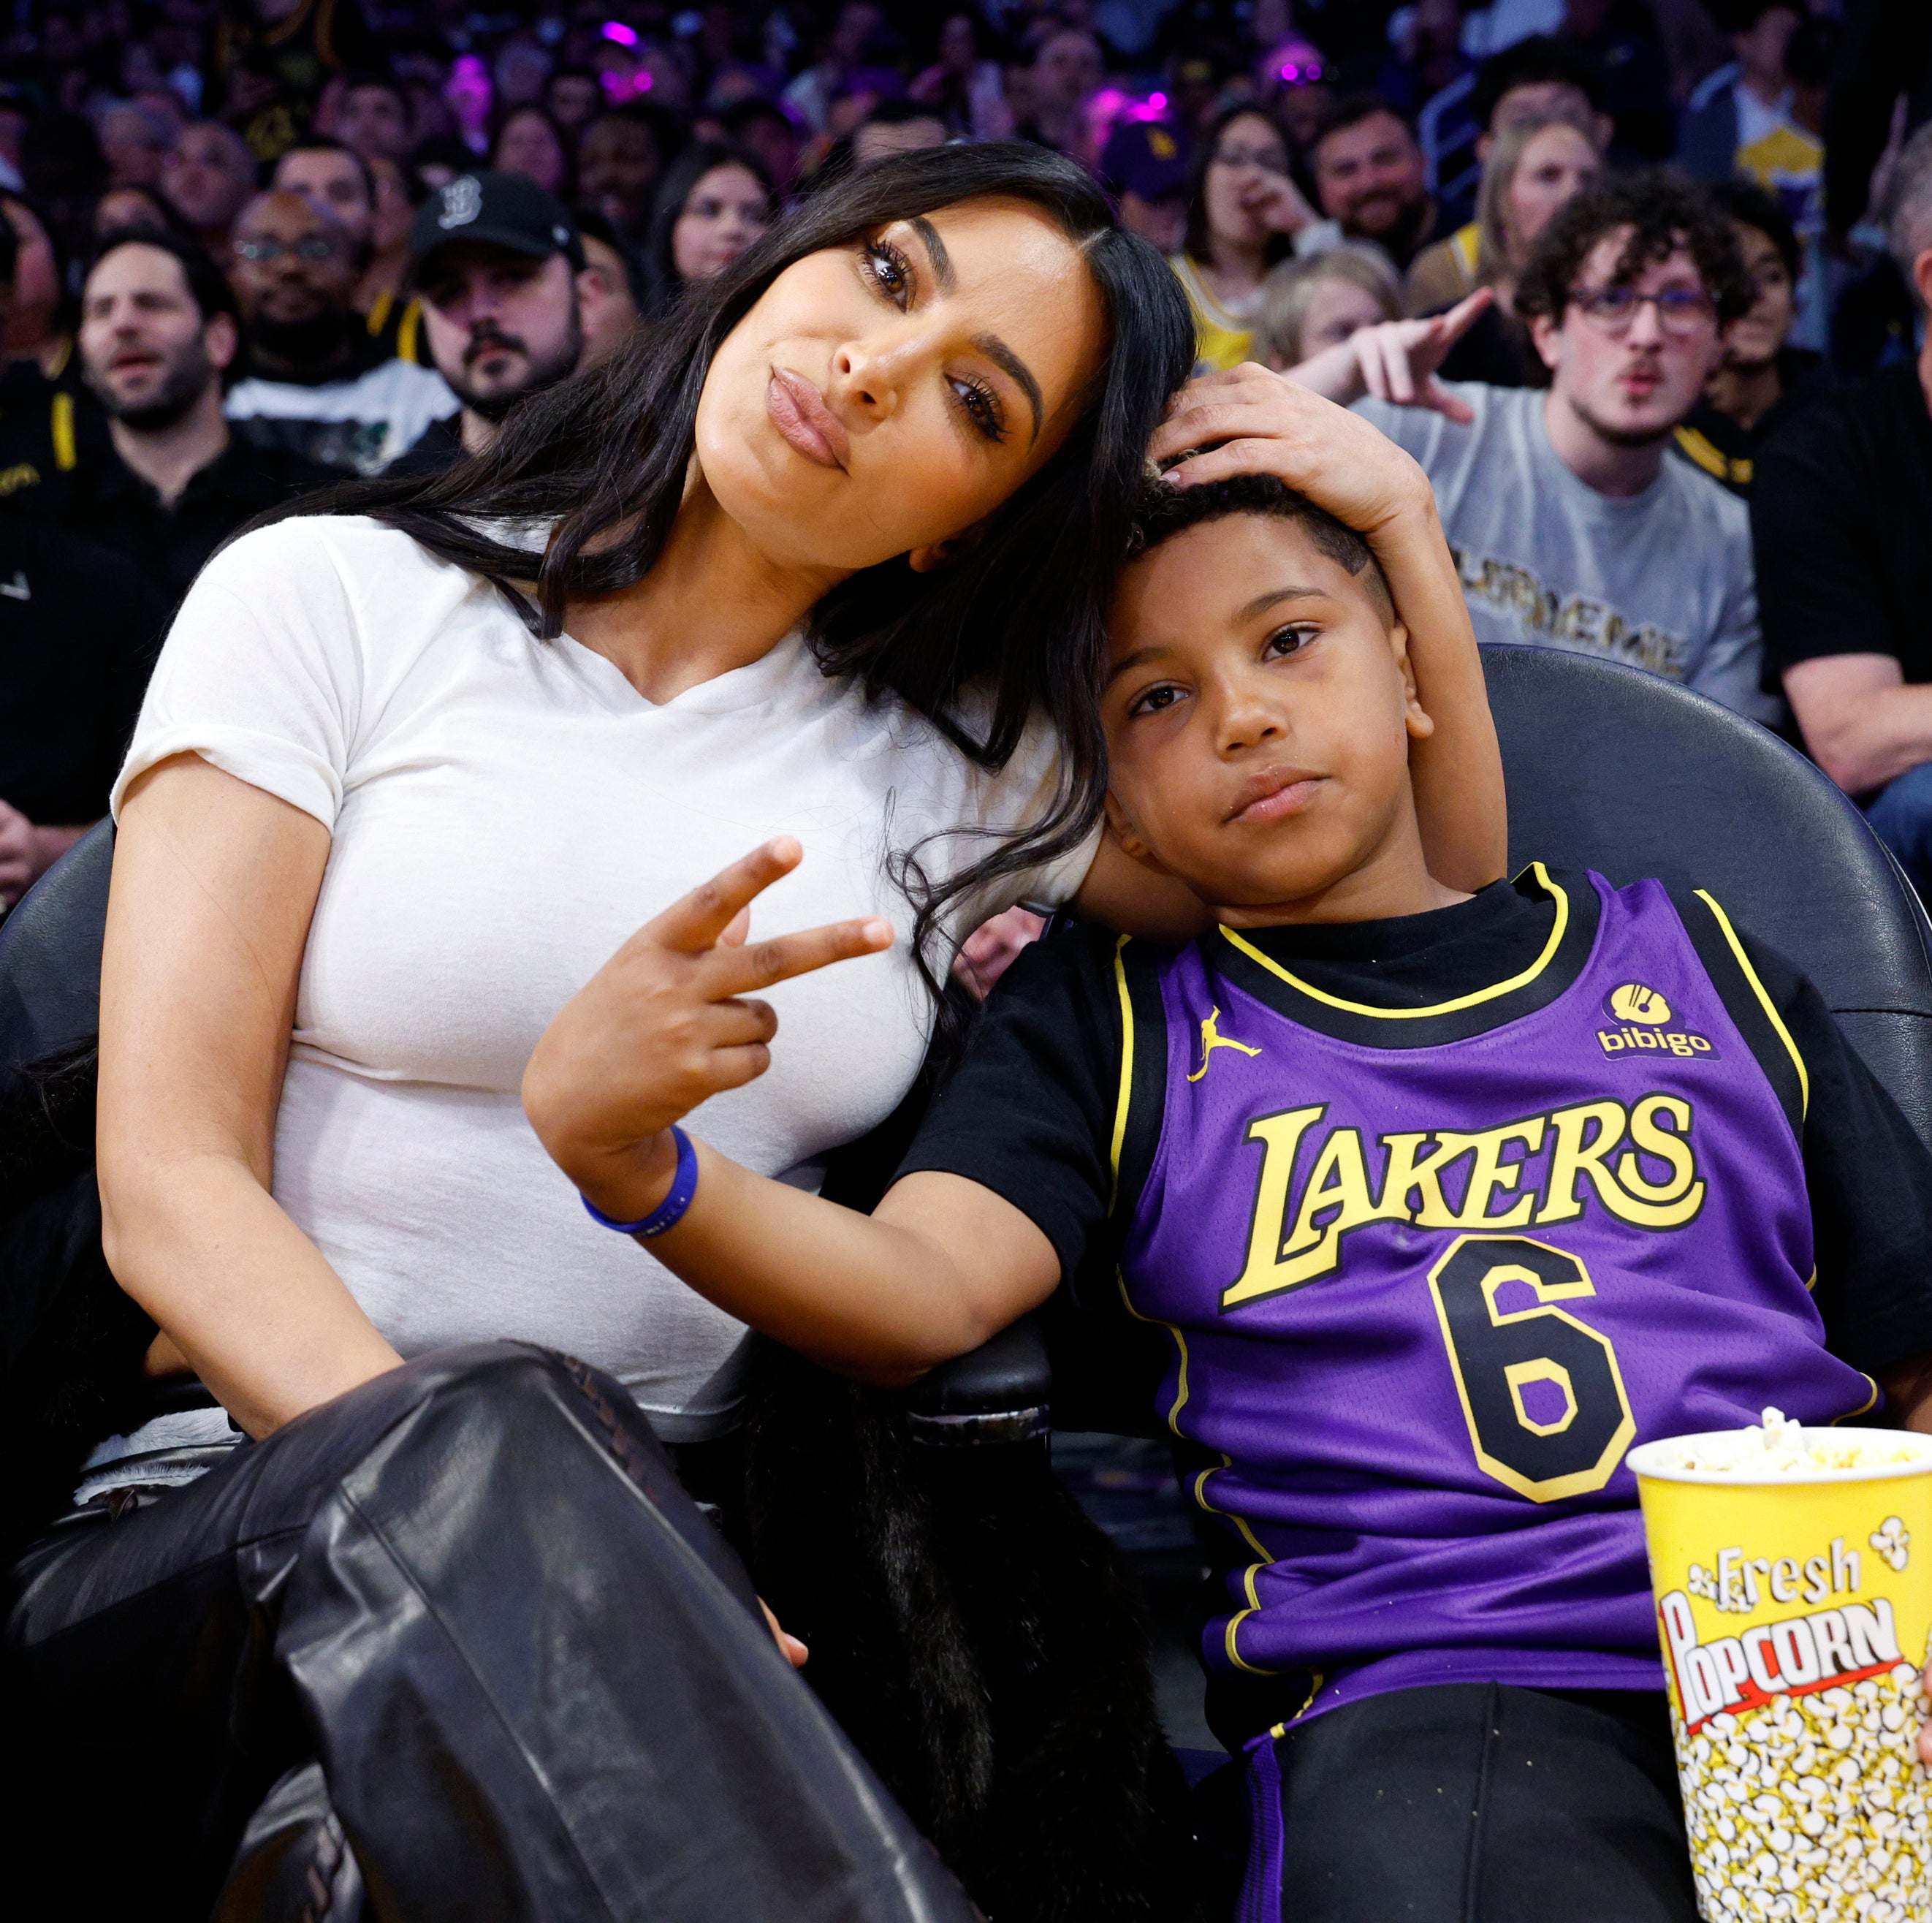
(1794, 1580)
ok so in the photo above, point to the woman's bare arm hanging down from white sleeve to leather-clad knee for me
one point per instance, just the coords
(208, 919)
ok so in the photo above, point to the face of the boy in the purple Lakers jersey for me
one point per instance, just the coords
(1259, 716)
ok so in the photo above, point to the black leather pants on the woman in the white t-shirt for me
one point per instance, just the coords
(532, 1675)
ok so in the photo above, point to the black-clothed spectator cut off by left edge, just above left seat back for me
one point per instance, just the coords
(78, 635)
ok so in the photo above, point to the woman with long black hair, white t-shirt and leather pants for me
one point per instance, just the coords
(826, 558)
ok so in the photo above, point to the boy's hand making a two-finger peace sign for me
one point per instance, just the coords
(668, 1023)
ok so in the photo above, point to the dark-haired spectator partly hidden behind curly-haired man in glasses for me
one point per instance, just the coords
(1763, 382)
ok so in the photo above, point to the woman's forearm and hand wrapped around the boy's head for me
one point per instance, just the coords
(1259, 422)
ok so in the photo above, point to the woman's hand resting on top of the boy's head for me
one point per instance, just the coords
(1259, 422)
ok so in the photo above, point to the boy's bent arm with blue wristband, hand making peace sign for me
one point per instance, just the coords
(942, 1265)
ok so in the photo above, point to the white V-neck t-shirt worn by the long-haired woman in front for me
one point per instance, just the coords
(505, 815)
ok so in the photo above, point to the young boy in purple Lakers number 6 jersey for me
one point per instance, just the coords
(1446, 1201)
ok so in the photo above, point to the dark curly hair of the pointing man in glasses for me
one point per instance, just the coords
(1664, 212)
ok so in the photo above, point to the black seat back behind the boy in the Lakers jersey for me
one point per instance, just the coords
(1634, 776)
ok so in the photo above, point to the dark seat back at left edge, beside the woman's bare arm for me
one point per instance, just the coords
(51, 954)
